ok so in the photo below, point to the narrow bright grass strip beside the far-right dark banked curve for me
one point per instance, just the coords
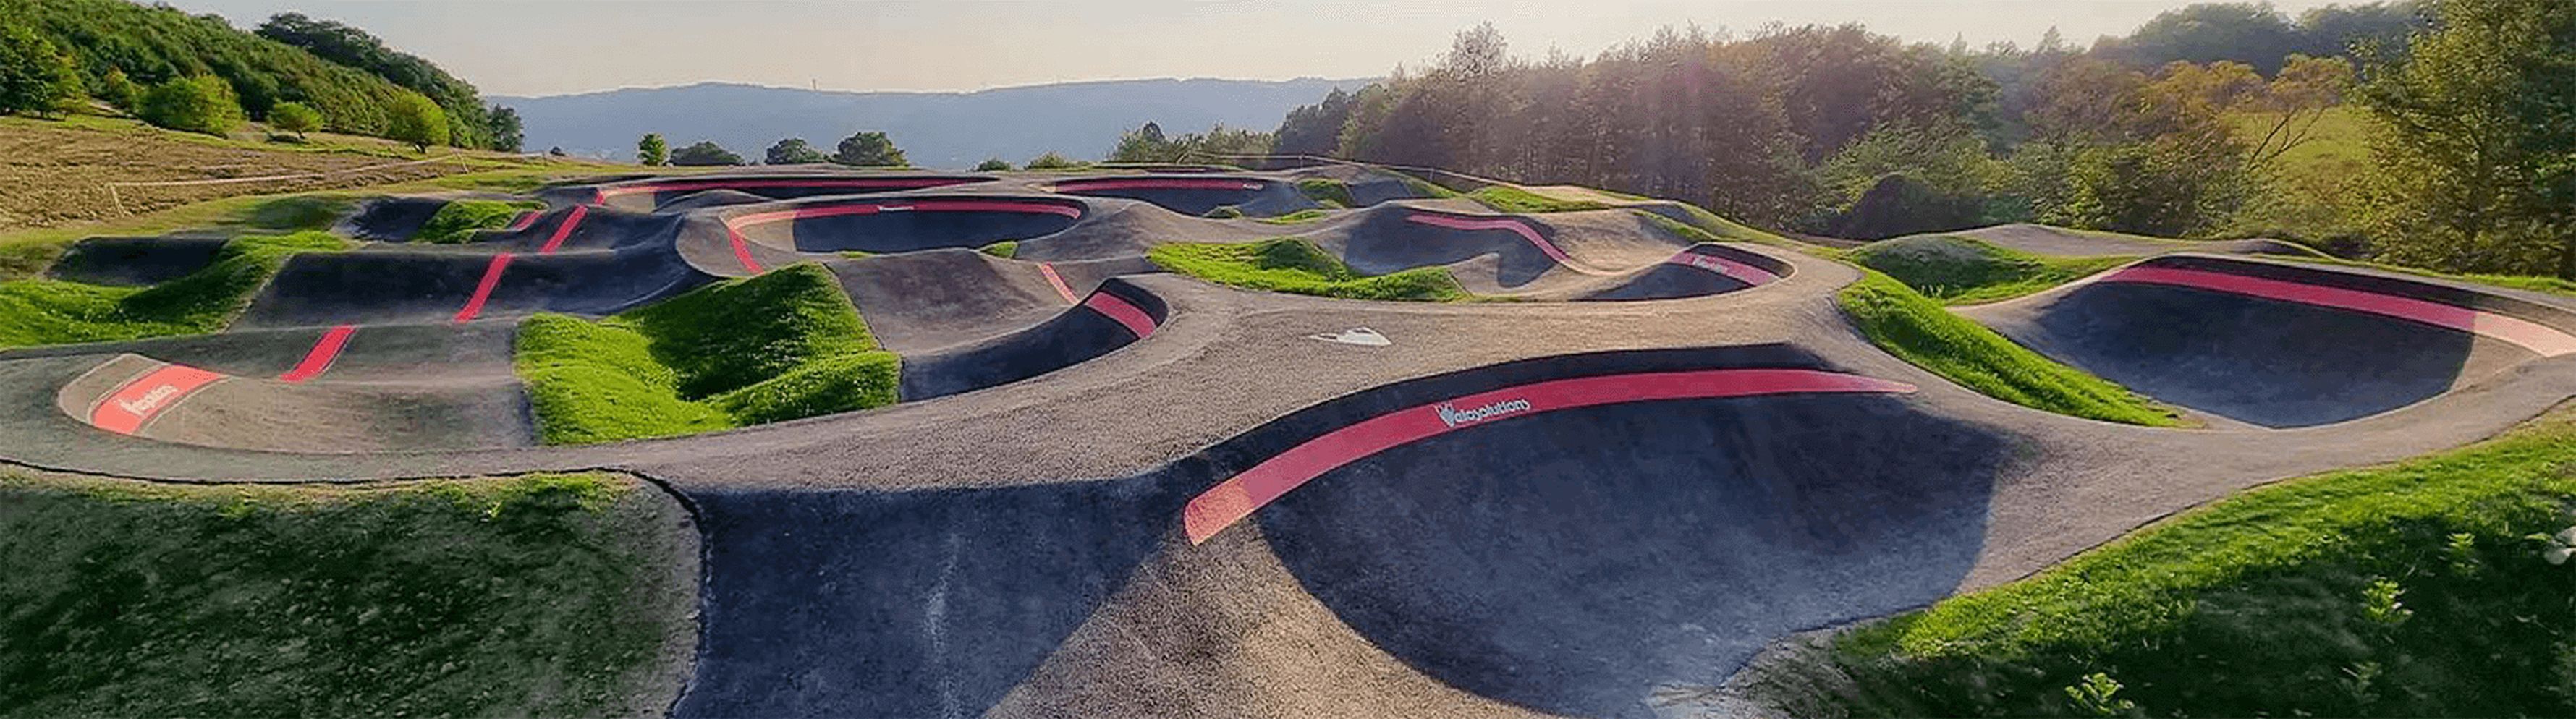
(1928, 336)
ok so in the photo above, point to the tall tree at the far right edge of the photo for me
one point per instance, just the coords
(2477, 166)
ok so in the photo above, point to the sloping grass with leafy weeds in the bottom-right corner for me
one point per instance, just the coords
(2394, 591)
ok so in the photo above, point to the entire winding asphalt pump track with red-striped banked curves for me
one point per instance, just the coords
(1526, 509)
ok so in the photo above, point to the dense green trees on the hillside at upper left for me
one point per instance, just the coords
(200, 73)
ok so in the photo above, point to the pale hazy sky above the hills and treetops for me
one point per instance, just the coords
(547, 48)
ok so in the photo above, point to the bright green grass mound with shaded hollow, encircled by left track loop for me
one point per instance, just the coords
(733, 354)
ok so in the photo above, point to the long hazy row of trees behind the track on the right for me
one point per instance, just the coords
(2175, 130)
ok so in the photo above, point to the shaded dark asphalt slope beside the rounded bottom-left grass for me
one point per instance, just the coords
(905, 604)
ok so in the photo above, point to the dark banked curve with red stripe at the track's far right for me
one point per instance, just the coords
(2281, 347)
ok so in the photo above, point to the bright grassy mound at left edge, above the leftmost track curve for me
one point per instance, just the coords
(53, 313)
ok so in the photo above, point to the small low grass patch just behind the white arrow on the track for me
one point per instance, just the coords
(1300, 267)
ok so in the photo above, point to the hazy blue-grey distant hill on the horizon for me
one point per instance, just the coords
(936, 130)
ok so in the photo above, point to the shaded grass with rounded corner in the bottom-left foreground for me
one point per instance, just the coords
(524, 597)
